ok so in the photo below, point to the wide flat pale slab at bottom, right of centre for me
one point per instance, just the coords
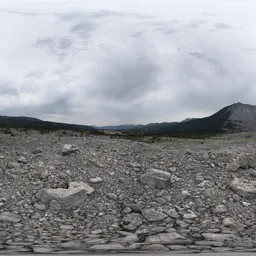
(168, 238)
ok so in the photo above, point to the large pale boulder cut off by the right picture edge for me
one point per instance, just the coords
(244, 187)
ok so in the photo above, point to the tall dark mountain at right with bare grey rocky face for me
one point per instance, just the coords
(234, 118)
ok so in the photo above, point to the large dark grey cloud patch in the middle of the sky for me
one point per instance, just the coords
(126, 78)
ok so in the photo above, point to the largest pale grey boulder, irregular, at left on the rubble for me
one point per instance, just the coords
(67, 198)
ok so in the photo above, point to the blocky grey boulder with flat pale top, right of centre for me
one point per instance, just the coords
(156, 178)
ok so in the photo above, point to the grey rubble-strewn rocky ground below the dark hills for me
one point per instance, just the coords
(91, 194)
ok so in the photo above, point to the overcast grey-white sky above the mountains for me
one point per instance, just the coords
(103, 62)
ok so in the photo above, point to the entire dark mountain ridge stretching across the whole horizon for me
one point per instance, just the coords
(237, 117)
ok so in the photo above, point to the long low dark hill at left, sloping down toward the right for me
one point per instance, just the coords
(34, 123)
